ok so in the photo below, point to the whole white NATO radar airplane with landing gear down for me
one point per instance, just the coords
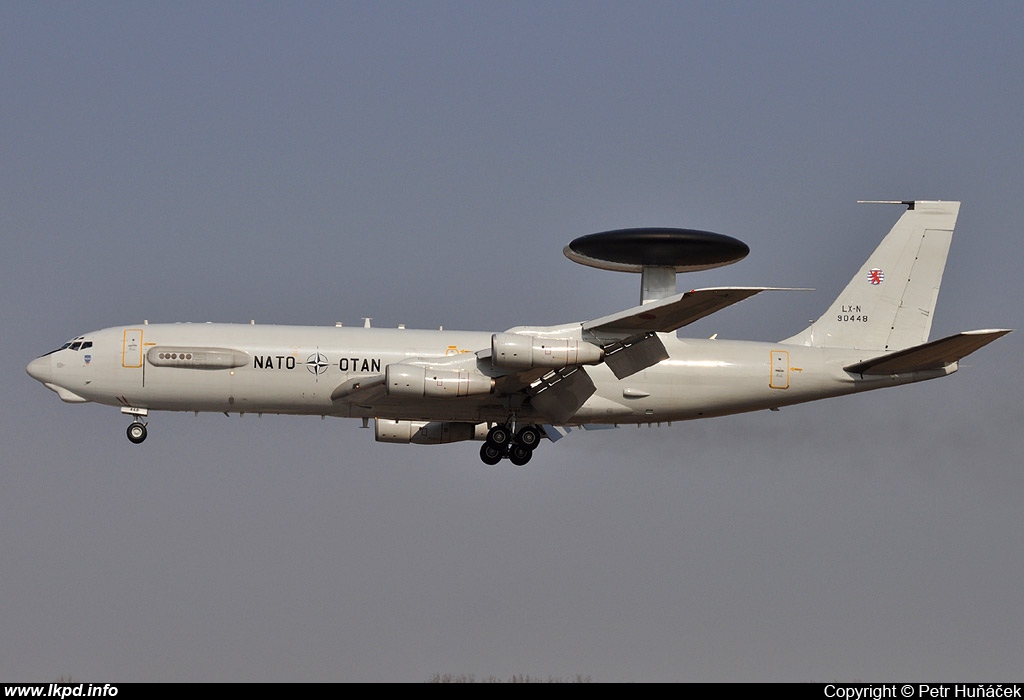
(514, 389)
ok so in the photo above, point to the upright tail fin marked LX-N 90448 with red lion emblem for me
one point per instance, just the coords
(889, 304)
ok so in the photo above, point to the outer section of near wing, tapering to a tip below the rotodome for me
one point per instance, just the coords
(672, 314)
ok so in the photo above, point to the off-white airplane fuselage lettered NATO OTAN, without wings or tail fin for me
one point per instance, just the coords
(294, 370)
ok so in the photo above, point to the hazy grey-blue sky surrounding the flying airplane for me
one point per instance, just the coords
(424, 163)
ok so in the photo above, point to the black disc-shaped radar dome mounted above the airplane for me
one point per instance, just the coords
(630, 250)
